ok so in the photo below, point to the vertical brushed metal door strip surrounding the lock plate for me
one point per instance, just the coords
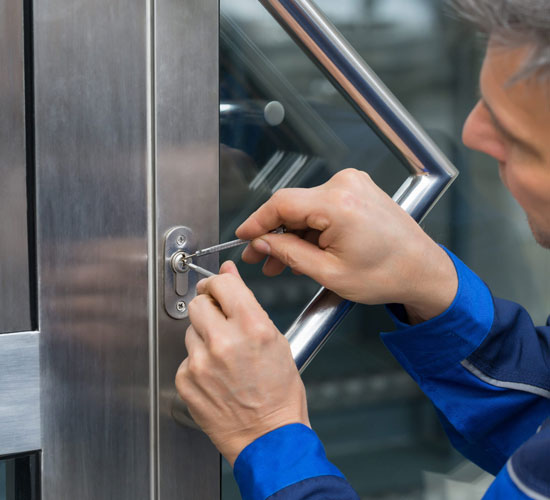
(187, 107)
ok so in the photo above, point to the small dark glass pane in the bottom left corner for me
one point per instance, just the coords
(20, 478)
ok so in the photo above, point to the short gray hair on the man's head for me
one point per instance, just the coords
(514, 23)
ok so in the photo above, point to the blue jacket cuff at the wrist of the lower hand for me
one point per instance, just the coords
(289, 463)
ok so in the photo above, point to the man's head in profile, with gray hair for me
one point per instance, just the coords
(511, 121)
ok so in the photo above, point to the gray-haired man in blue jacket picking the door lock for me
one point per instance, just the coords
(480, 359)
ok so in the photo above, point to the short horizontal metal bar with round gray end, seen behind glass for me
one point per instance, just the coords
(271, 113)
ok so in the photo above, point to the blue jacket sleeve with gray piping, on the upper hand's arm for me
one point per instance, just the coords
(484, 365)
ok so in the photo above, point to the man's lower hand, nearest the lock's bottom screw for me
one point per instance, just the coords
(239, 379)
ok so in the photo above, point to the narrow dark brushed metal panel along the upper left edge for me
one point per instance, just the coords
(14, 260)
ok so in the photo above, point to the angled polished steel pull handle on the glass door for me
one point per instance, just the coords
(431, 171)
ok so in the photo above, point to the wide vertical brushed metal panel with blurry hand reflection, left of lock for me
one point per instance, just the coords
(91, 77)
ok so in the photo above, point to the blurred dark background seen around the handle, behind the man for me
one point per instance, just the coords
(376, 425)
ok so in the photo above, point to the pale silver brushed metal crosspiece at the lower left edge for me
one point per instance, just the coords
(19, 393)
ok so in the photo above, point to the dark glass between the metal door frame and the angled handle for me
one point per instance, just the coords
(264, 75)
